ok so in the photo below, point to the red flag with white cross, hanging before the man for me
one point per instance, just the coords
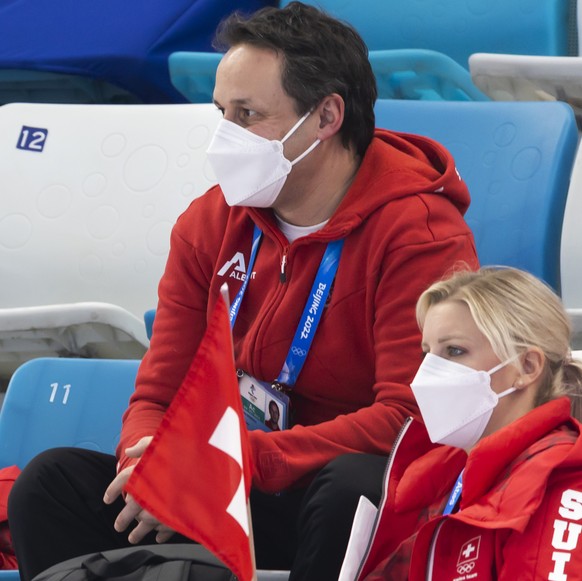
(195, 475)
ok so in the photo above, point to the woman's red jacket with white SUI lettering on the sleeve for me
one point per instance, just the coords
(520, 515)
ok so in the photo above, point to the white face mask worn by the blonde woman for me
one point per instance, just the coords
(456, 401)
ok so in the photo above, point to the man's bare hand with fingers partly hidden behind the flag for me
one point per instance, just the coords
(132, 510)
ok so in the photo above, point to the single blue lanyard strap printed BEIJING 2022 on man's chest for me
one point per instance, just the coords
(312, 313)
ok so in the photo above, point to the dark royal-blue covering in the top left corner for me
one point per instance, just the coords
(124, 43)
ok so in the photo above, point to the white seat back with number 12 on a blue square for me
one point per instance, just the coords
(89, 194)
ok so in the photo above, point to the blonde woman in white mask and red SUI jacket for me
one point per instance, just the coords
(502, 498)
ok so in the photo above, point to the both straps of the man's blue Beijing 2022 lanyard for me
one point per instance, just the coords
(312, 312)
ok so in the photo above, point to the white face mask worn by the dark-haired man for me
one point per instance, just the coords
(250, 169)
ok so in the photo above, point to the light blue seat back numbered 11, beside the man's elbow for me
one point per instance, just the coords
(52, 402)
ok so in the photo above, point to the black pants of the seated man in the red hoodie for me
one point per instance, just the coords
(56, 512)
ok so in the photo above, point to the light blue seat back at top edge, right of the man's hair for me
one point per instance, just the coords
(458, 28)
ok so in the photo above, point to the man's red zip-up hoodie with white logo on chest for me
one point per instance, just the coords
(403, 228)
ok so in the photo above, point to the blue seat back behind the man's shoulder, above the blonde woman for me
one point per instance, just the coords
(516, 159)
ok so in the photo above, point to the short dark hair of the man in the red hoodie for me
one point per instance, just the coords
(322, 55)
